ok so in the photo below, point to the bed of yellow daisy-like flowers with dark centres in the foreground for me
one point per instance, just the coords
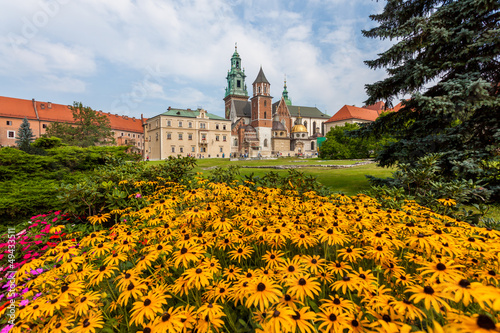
(225, 259)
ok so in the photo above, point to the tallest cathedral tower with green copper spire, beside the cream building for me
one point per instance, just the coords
(236, 88)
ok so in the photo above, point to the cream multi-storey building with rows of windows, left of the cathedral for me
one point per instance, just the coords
(180, 132)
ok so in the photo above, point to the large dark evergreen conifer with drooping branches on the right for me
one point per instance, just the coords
(446, 57)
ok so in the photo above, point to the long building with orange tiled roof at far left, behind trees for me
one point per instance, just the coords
(126, 130)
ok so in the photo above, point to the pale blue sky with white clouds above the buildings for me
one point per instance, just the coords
(136, 57)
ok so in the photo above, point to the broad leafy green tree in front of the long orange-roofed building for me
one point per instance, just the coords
(89, 128)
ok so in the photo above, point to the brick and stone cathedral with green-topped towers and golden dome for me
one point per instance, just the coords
(260, 127)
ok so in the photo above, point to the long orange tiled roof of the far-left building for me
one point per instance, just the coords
(51, 112)
